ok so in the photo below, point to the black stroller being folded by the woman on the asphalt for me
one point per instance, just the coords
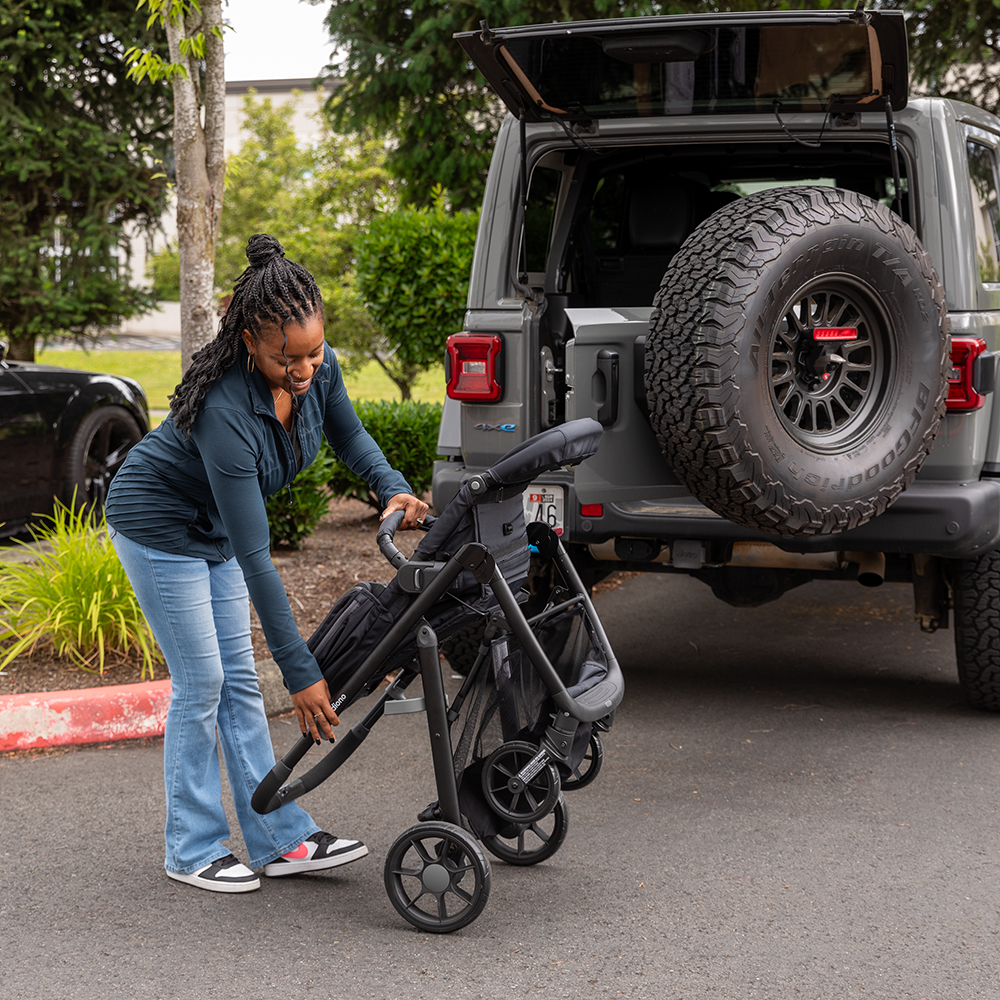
(525, 724)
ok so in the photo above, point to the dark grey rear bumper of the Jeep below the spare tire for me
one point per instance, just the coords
(952, 520)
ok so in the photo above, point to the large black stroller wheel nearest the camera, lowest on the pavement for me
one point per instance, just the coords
(437, 877)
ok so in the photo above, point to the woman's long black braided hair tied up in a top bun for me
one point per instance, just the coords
(269, 293)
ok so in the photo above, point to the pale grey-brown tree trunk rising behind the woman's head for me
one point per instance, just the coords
(200, 165)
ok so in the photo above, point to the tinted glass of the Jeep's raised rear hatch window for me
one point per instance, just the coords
(688, 70)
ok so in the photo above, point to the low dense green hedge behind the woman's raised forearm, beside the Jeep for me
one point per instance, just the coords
(407, 434)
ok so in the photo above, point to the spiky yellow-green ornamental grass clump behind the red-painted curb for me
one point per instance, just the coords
(75, 599)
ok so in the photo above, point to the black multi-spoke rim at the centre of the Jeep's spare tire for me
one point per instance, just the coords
(830, 414)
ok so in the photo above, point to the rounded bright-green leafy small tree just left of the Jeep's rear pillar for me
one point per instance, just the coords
(413, 276)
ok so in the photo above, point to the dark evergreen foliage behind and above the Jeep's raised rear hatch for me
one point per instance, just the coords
(405, 73)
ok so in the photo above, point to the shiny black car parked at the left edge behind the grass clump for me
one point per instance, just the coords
(62, 432)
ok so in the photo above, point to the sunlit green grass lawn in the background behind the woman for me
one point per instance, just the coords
(159, 372)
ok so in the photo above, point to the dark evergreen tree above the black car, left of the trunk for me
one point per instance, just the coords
(77, 151)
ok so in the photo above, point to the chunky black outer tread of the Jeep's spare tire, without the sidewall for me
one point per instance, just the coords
(691, 358)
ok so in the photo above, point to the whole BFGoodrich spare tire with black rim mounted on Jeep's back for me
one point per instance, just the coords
(797, 358)
